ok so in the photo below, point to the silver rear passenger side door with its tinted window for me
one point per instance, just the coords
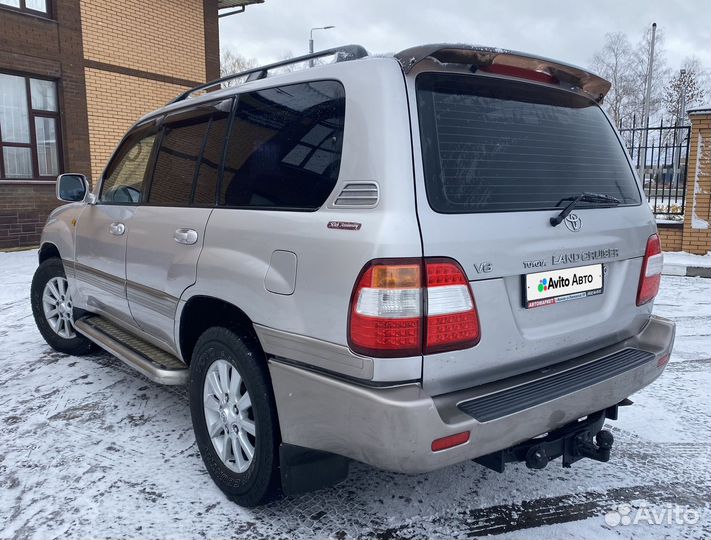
(167, 230)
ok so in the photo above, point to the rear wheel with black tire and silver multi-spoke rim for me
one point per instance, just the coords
(218, 355)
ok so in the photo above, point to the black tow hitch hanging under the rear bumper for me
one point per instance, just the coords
(574, 441)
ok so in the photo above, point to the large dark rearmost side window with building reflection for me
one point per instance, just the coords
(284, 150)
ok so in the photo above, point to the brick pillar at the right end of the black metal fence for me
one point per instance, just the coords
(697, 214)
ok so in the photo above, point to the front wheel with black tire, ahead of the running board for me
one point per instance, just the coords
(58, 330)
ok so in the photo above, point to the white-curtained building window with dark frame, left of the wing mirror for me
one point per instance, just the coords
(29, 128)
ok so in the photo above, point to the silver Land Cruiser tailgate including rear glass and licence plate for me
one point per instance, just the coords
(499, 157)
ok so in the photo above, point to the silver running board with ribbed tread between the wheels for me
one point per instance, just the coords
(154, 363)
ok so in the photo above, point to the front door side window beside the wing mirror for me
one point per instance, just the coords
(123, 180)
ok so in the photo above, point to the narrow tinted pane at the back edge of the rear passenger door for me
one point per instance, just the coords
(209, 166)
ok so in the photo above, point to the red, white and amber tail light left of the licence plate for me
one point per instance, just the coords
(406, 307)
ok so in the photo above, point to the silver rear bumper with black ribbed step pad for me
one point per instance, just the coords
(393, 428)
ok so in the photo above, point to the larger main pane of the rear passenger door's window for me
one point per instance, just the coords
(176, 163)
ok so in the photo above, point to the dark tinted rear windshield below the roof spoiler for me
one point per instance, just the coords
(492, 145)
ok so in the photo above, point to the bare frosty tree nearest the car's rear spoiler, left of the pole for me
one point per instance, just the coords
(612, 62)
